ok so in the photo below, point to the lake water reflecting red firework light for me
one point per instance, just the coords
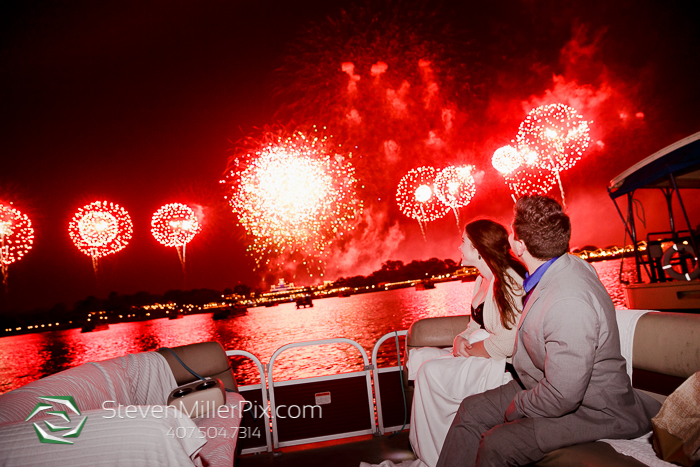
(362, 318)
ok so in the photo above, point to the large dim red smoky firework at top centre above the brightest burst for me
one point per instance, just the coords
(390, 92)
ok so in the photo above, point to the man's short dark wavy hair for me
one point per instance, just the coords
(541, 223)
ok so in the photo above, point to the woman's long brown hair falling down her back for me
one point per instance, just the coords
(491, 241)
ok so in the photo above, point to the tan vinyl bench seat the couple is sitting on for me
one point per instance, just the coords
(666, 351)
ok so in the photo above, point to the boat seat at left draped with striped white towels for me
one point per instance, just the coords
(122, 404)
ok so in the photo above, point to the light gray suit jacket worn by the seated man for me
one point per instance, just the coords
(567, 355)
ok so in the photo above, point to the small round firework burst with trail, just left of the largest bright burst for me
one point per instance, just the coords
(175, 225)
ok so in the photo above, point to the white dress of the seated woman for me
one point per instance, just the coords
(442, 381)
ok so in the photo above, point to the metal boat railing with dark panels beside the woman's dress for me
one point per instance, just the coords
(327, 407)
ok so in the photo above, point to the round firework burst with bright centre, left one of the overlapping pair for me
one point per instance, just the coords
(417, 197)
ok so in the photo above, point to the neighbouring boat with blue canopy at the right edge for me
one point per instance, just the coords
(668, 258)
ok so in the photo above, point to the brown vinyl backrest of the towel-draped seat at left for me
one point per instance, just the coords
(207, 359)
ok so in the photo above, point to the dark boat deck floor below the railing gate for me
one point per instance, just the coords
(348, 452)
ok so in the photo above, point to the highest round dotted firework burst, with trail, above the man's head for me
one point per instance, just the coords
(559, 136)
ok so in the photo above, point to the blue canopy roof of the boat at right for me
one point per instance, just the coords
(682, 159)
